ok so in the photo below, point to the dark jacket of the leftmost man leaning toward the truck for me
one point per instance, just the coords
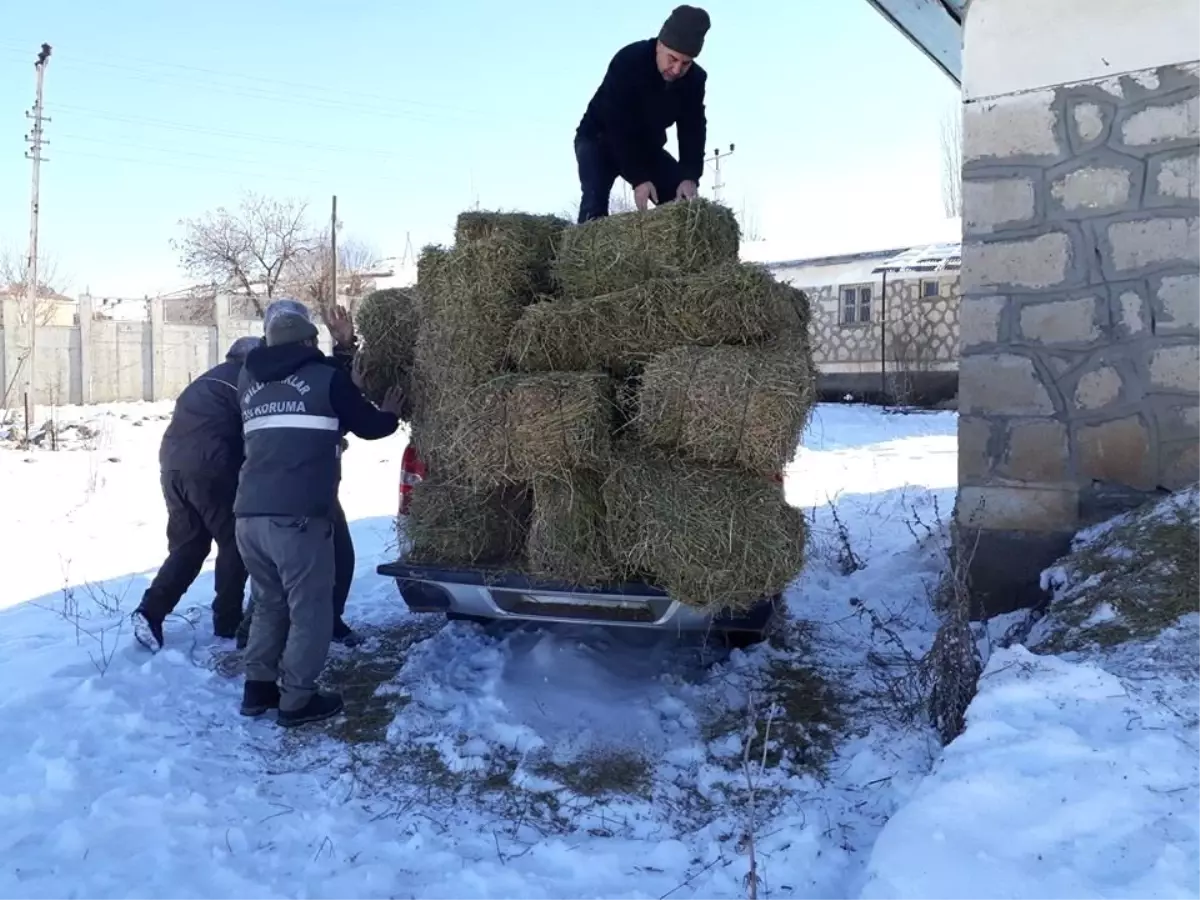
(205, 435)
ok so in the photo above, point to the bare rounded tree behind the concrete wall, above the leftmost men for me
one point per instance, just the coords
(250, 248)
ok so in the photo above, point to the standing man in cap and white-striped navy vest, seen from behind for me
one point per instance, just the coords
(297, 404)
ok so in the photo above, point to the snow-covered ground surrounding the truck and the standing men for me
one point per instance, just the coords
(563, 764)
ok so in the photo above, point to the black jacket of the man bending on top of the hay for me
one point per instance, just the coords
(634, 107)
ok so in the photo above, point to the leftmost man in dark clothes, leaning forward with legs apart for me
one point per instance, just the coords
(200, 458)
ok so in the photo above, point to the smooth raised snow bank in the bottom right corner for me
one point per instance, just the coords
(1070, 782)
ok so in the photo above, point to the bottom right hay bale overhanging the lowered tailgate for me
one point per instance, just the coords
(712, 538)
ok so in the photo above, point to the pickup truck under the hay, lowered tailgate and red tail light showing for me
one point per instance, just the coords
(483, 595)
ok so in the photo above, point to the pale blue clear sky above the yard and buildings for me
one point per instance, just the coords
(412, 112)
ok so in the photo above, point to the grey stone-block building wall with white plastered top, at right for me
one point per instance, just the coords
(1081, 319)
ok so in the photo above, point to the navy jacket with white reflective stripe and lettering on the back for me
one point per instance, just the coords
(296, 405)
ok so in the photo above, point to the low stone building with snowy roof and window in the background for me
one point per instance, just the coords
(885, 325)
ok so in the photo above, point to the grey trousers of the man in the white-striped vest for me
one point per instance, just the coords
(291, 565)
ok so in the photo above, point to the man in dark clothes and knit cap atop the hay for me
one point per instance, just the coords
(650, 87)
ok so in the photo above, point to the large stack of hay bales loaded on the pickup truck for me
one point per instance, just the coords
(611, 403)
